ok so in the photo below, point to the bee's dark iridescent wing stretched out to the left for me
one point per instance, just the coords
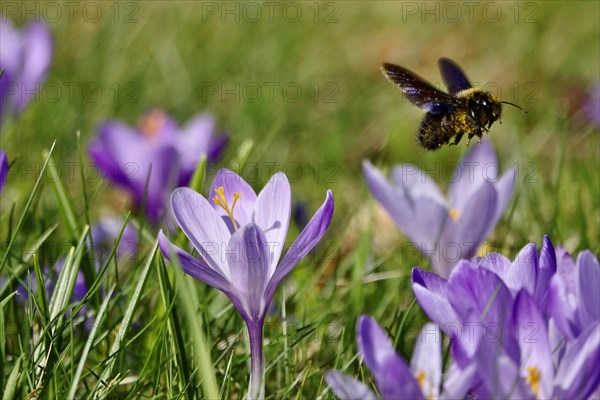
(417, 90)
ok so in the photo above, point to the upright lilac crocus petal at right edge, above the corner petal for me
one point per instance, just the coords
(589, 278)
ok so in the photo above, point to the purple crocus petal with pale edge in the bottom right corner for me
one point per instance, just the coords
(577, 375)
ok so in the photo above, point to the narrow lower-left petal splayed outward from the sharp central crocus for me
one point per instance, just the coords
(192, 265)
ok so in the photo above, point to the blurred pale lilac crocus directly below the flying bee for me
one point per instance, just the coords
(446, 229)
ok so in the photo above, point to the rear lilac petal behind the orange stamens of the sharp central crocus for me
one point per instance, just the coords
(233, 183)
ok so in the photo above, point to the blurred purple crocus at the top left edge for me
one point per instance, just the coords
(25, 56)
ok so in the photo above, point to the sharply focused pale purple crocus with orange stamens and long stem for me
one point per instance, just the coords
(240, 237)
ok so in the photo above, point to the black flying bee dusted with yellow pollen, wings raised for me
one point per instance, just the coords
(465, 110)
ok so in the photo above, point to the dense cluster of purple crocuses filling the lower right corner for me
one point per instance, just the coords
(500, 315)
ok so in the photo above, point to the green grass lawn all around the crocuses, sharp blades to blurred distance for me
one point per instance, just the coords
(146, 342)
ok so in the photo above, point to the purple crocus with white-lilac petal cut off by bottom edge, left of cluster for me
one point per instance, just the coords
(394, 378)
